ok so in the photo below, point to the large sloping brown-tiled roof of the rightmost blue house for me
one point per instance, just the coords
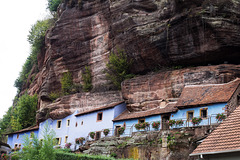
(207, 94)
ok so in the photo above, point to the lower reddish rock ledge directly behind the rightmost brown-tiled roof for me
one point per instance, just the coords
(145, 92)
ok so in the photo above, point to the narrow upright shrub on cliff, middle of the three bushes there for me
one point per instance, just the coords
(87, 79)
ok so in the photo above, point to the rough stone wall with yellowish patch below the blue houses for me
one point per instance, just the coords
(156, 145)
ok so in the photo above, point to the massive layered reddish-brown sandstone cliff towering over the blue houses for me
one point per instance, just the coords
(155, 34)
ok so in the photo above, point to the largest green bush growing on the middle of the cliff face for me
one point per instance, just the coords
(118, 68)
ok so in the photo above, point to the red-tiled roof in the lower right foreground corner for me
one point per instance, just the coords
(225, 138)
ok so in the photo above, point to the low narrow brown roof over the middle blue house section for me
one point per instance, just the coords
(171, 107)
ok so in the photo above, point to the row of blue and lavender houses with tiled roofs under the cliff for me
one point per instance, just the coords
(203, 101)
